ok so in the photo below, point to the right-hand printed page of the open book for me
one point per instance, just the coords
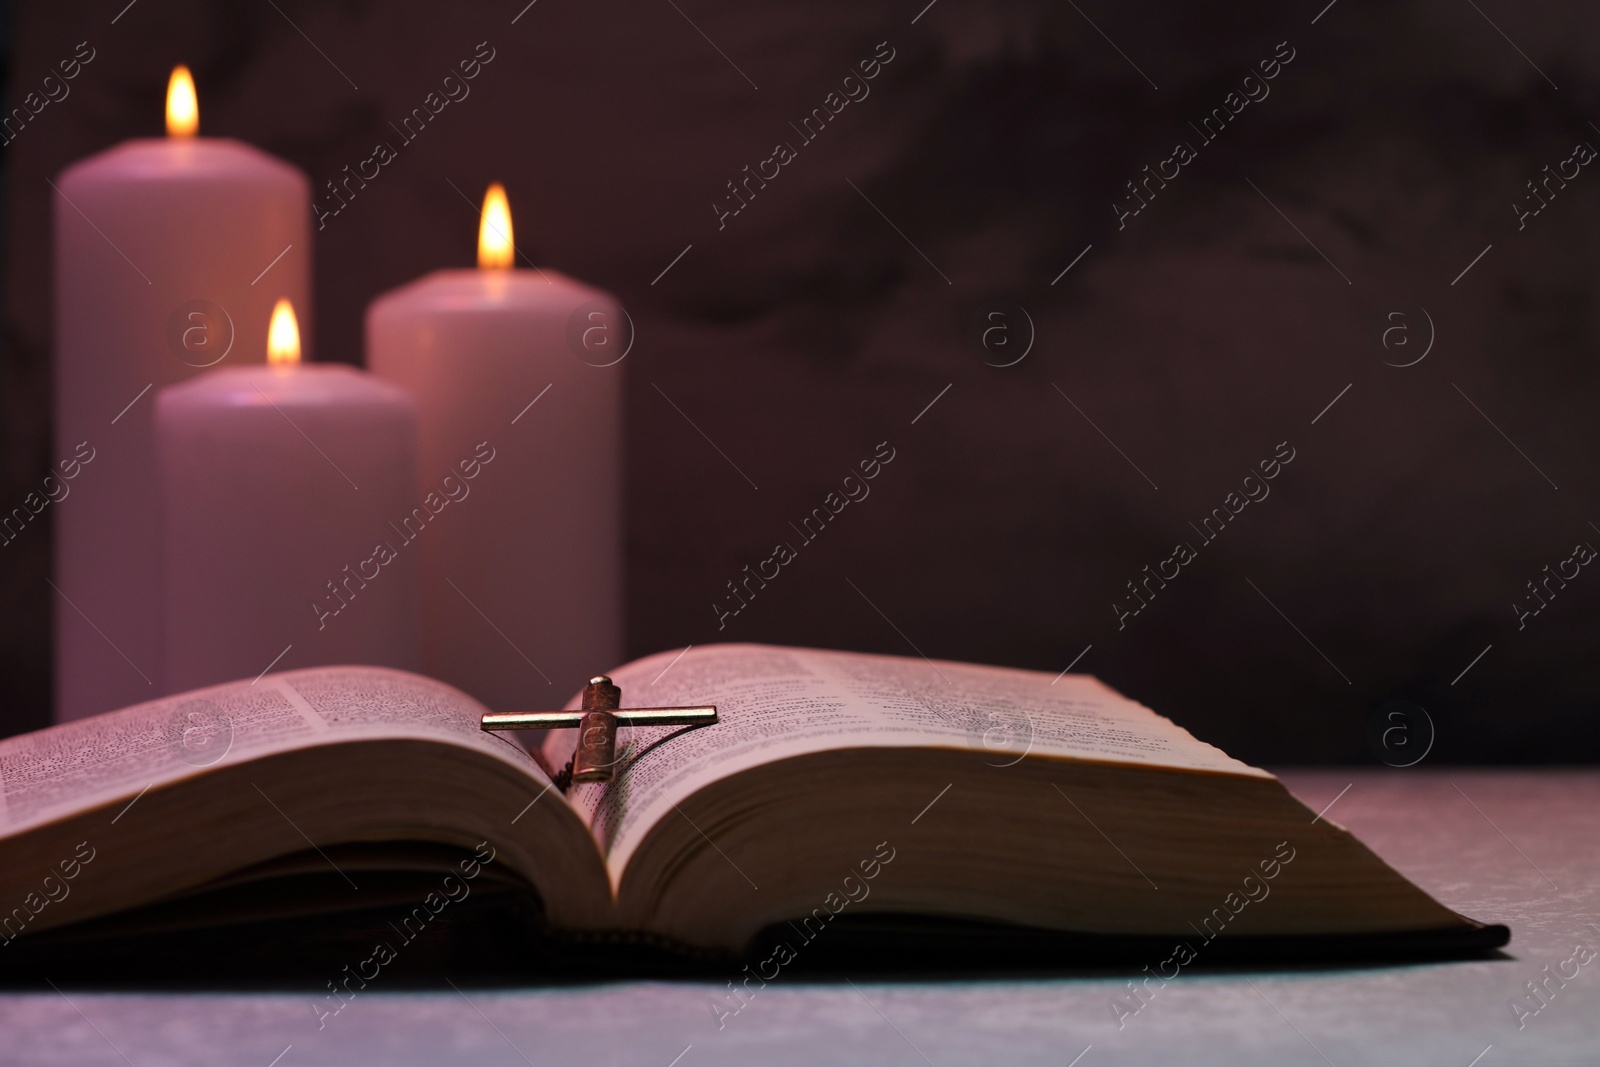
(777, 703)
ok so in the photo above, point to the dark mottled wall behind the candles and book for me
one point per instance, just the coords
(823, 319)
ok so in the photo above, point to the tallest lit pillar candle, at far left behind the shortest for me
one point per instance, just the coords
(167, 250)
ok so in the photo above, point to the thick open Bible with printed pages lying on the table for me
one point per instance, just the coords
(836, 786)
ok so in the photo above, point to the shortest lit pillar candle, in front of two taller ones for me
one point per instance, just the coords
(279, 486)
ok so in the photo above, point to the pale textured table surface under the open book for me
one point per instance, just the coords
(1513, 847)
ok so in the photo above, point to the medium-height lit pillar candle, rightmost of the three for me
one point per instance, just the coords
(522, 583)
